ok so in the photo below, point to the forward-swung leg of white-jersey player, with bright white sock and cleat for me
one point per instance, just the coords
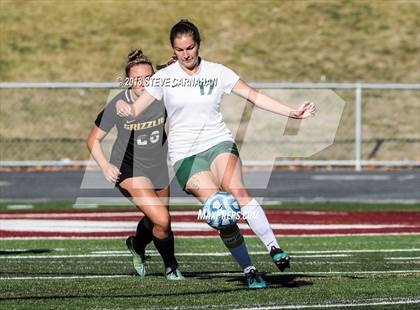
(227, 168)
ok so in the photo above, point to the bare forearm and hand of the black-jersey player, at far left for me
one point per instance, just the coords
(94, 139)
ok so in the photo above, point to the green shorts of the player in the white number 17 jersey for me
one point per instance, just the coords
(187, 167)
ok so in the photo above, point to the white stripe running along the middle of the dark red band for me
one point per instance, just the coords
(80, 226)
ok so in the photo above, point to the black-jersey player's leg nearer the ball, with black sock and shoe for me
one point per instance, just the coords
(147, 200)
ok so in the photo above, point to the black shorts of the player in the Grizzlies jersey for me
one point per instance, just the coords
(158, 174)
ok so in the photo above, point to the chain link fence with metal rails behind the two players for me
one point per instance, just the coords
(48, 123)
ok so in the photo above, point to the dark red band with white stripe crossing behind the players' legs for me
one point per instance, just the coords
(121, 223)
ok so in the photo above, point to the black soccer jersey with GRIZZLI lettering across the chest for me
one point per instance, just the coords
(141, 141)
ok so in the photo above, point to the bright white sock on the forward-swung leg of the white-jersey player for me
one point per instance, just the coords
(256, 219)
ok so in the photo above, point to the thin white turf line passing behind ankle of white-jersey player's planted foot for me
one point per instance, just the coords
(225, 274)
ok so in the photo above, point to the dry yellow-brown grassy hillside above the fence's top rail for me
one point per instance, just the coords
(343, 40)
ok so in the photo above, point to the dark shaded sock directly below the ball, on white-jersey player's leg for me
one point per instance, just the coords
(234, 241)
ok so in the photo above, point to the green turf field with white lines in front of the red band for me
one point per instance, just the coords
(97, 274)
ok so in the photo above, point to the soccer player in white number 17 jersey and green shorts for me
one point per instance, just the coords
(201, 147)
